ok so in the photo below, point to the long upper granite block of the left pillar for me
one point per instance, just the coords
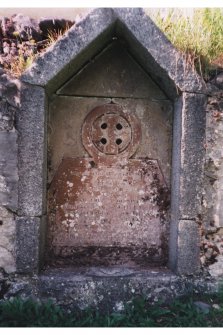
(31, 151)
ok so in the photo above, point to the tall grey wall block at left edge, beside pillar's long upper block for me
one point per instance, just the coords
(8, 170)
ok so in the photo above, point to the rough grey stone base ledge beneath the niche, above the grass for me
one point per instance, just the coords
(106, 289)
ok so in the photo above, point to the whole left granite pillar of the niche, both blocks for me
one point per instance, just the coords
(32, 178)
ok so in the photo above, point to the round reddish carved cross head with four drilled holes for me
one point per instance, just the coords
(108, 131)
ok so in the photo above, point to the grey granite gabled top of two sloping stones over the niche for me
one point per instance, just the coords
(145, 42)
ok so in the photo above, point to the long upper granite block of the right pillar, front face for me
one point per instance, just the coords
(192, 155)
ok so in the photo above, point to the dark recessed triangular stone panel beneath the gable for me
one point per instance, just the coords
(113, 73)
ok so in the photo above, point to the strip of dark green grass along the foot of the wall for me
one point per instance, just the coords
(139, 313)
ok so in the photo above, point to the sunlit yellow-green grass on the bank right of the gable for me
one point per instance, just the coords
(199, 37)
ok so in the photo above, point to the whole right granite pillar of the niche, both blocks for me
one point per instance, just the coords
(187, 183)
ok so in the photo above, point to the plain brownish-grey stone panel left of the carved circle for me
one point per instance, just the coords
(66, 117)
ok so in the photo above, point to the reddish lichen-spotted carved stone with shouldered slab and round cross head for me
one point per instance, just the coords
(109, 208)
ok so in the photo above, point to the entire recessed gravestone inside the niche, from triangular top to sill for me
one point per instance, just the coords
(109, 166)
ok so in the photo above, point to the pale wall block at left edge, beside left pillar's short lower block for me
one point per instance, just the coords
(7, 240)
